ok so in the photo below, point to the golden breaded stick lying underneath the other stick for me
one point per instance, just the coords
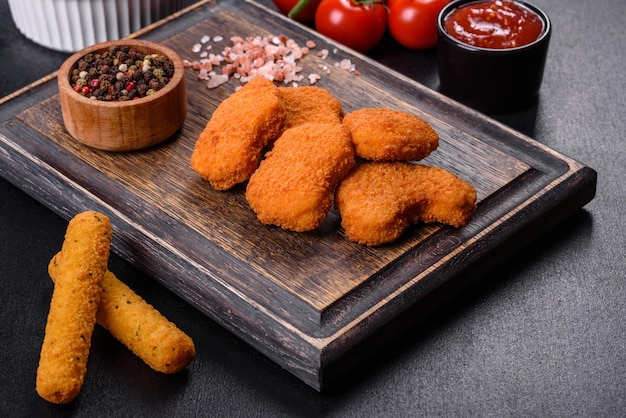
(137, 324)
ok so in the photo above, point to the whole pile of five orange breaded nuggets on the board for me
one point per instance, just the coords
(300, 155)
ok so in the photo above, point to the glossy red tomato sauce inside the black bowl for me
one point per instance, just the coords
(493, 24)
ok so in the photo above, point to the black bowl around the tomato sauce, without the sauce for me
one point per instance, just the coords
(491, 80)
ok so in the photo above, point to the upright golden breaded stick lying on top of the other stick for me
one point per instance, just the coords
(72, 315)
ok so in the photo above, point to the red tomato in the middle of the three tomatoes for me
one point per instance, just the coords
(358, 24)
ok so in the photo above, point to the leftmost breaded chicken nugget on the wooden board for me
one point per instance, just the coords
(230, 147)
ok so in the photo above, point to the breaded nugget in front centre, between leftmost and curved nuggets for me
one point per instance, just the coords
(293, 187)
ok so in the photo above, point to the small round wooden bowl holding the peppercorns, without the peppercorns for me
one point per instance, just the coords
(124, 125)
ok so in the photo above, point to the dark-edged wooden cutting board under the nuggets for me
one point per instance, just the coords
(306, 300)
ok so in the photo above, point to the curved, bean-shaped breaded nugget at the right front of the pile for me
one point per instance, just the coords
(377, 201)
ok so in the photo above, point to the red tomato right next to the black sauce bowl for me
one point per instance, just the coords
(413, 23)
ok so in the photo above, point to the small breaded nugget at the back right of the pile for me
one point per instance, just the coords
(390, 135)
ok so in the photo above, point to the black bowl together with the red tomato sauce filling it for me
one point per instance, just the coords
(491, 53)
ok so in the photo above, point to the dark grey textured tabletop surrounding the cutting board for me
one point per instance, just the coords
(542, 335)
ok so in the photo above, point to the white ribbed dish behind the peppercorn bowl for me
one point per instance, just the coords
(71, 25)
